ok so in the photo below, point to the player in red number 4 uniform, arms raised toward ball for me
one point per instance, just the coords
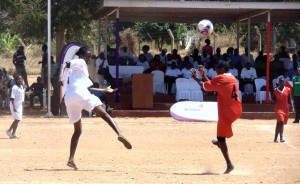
(229, 104)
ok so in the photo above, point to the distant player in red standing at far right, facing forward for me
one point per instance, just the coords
(281, 95)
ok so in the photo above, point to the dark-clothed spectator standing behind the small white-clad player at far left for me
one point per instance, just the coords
(19, 62)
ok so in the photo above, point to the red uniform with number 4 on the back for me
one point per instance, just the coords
(229, 104)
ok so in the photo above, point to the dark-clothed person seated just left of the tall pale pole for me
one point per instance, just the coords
(37, 90)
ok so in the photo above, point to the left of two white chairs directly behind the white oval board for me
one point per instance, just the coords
(182, 89)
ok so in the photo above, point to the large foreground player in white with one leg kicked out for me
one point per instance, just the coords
(78, 97)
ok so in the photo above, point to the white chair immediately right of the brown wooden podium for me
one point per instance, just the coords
(159, 81)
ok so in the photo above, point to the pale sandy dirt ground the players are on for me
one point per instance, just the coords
(164, 151)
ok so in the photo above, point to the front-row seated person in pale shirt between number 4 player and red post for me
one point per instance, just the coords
(248, 75)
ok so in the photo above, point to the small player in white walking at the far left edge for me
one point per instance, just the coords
(16, 107)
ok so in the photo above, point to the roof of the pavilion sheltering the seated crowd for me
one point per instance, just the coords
(193, 11)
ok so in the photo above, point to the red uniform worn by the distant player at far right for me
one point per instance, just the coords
(282, 103)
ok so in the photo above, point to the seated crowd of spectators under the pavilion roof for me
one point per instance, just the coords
(244, 67)
